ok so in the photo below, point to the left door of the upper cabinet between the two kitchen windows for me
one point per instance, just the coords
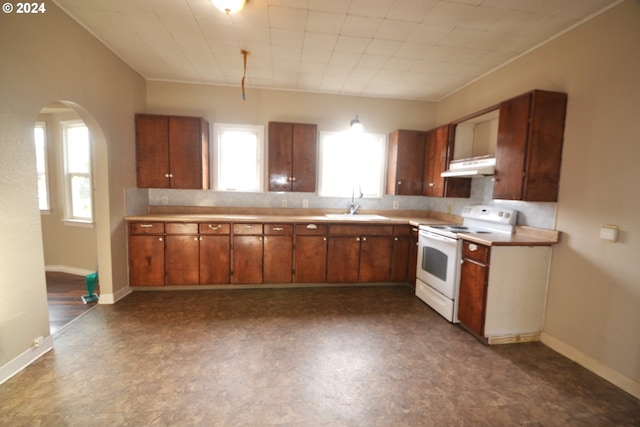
(280, 156)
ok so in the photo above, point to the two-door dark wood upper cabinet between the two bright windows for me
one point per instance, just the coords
(292, 157)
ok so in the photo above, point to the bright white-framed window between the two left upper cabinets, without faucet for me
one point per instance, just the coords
(237, 157)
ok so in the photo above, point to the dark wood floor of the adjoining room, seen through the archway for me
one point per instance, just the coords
(64, 292)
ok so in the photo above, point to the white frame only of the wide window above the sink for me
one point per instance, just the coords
(323, 191)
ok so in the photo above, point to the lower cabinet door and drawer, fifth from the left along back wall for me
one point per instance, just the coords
(278, 253)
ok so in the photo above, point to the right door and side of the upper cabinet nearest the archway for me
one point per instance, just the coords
(188, 152)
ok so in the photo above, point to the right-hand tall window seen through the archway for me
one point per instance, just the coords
(77, 171)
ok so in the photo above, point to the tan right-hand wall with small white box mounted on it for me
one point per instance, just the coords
(593, 308)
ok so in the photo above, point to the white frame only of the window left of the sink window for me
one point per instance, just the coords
(216, 158)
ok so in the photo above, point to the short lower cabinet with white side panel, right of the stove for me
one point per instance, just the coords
(502, 291)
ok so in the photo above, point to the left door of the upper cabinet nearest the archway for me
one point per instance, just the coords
(152, 151)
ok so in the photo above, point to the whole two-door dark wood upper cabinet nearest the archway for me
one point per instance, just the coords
(172, 152)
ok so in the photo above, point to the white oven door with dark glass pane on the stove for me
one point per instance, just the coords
(438, 263)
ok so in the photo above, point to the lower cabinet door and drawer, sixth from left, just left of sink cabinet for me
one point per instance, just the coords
(310, 253)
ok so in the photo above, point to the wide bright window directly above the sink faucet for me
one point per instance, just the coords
(352, 163)
